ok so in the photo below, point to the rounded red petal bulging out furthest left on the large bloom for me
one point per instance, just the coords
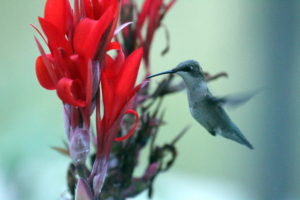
(43, 75)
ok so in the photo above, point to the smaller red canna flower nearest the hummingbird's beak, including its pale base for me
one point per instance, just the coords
(118, 77)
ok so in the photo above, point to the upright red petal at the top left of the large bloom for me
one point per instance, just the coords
(58, 13)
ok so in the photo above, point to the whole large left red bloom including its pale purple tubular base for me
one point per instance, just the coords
(77, 40)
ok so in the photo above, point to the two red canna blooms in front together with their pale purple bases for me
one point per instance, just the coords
(78, 62)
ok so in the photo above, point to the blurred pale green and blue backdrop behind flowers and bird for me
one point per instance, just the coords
(256, 42)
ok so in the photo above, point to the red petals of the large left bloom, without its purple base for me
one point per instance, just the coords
(75, 40)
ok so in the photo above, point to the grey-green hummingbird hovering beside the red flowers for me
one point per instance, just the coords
(205, 108)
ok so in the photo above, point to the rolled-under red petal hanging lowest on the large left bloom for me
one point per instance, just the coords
(70, 92)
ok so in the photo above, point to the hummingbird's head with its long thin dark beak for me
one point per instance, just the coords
(189, 69)
